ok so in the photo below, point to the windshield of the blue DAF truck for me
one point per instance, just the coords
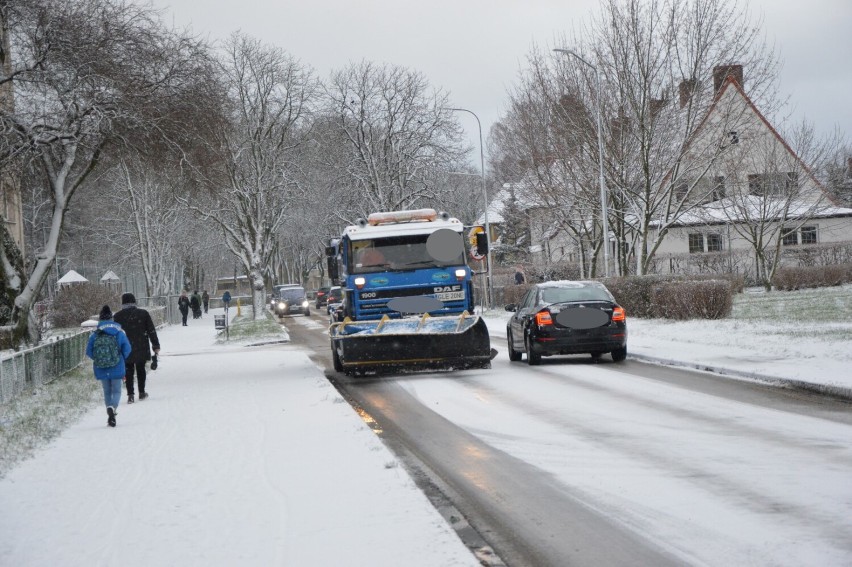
(398, 253)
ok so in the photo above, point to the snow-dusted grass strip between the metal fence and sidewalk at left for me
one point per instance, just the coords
(39, 415)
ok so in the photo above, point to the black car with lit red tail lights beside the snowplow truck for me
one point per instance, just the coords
(566, 317)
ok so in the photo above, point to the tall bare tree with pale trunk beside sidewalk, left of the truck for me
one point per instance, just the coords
(269, 106)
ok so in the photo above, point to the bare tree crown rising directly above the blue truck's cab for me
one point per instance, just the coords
(392, 135)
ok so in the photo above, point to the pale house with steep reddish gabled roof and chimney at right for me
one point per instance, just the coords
(757, 193)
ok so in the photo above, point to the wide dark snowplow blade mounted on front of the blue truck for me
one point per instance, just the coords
(425, 342)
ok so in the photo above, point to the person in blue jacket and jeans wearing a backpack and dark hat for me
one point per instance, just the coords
(108, 347)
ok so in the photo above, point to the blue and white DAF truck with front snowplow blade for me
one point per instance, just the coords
(407, 295)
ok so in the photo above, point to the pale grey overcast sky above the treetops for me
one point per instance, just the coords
(474, 48)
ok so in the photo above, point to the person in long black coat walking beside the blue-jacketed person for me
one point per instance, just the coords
(140, 329)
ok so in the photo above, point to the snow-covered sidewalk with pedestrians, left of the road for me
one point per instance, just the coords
(240, 456)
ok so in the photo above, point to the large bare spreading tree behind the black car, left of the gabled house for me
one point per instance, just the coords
(659, 63)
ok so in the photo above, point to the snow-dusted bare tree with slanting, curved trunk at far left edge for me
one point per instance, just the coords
(84, 77)
